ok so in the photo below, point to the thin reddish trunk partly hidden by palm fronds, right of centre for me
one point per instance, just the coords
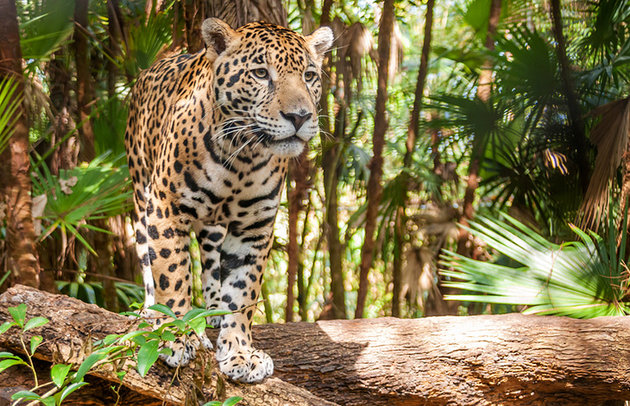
(484, 88)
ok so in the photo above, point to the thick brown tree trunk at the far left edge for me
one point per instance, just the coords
(16, 184)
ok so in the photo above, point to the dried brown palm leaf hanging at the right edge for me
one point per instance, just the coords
(610, 136)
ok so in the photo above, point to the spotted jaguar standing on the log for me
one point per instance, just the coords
(208, 139)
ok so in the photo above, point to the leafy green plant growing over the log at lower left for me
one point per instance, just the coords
(141, 347)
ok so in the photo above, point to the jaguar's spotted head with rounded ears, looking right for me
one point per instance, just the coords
(267, 82)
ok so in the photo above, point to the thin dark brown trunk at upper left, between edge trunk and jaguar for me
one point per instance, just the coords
(85, 93)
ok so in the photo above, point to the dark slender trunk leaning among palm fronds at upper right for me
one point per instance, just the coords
(575, 113)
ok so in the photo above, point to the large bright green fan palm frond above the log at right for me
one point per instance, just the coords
(580, 279)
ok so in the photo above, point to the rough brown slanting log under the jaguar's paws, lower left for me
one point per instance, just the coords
(74, 324)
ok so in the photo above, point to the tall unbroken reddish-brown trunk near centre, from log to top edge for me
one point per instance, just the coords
(374, 187)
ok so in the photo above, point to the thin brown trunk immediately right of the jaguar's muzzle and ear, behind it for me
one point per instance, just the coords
(330, 167)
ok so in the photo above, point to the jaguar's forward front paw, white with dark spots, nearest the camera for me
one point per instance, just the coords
(245, 364)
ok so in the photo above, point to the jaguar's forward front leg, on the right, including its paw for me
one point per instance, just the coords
(243, 259)
